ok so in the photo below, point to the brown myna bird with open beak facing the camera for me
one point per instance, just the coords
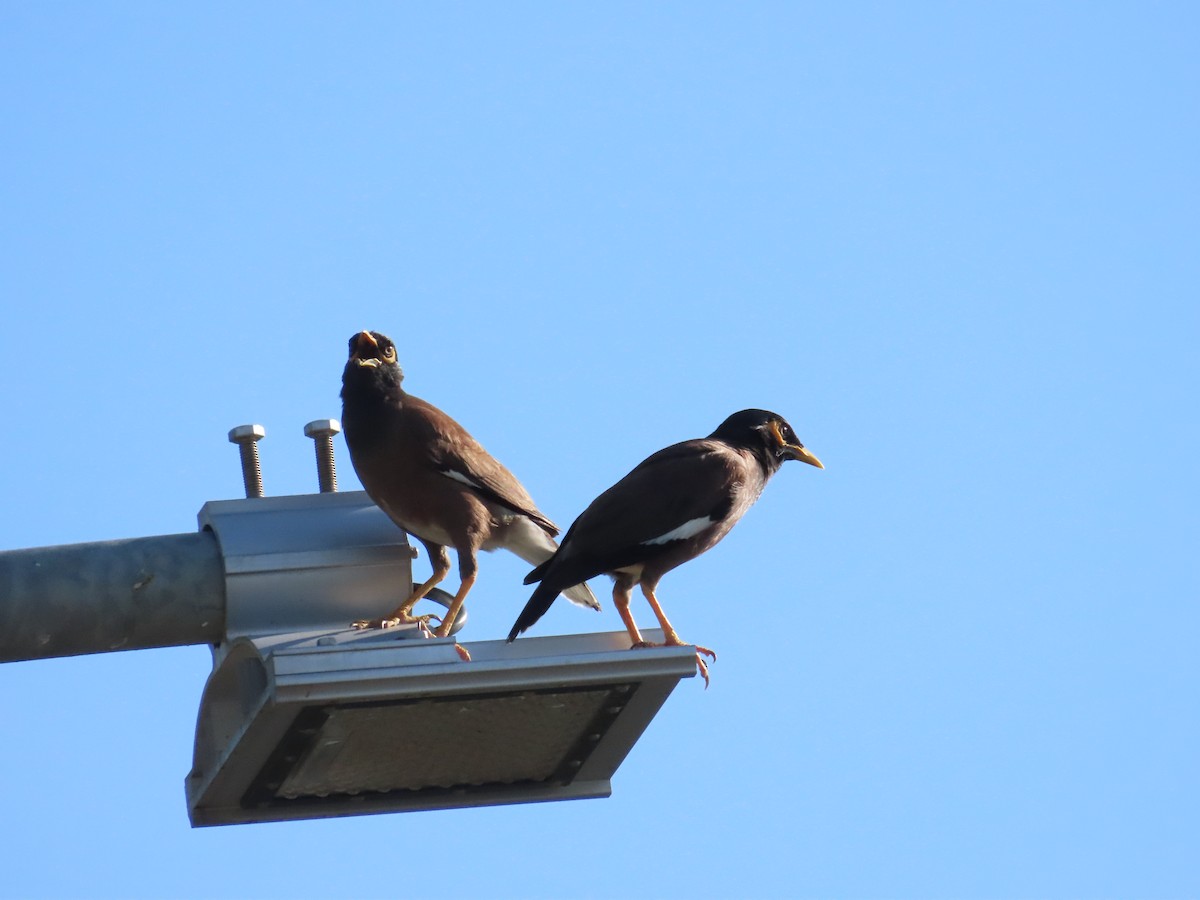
(435, 481)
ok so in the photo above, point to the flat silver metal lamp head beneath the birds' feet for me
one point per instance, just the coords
(319, 725)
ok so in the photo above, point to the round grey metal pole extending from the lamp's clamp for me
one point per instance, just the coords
(111, 596)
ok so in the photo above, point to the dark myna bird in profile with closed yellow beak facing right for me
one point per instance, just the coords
(670, 509)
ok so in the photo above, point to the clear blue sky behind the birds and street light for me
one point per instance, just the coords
(955, 244)
